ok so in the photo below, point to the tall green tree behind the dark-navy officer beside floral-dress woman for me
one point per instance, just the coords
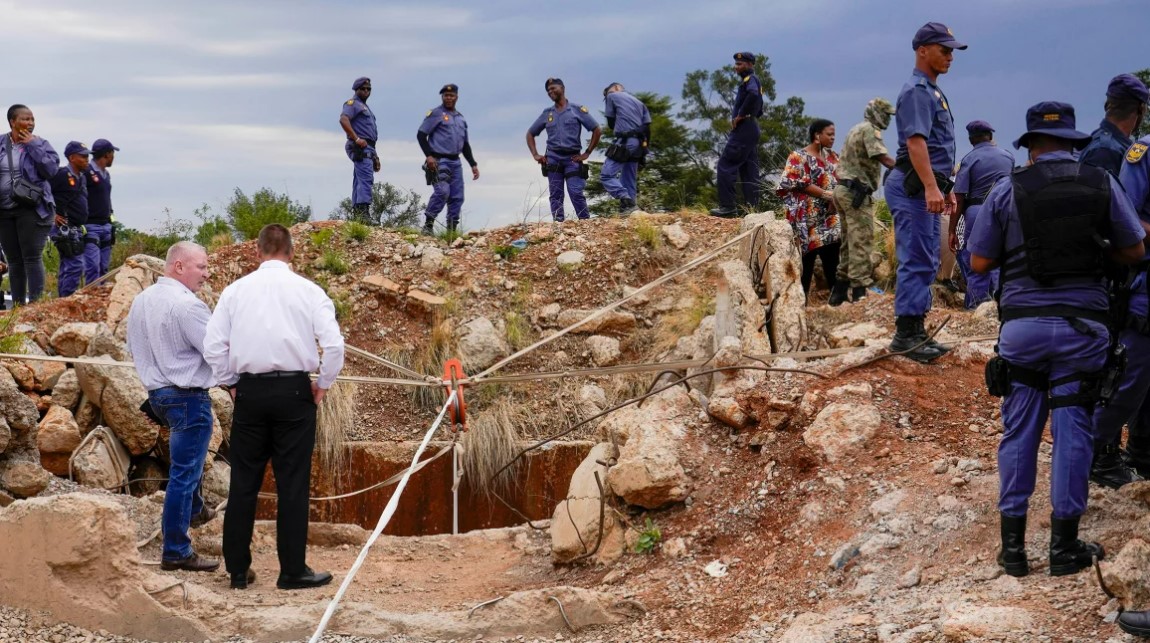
(708, 101)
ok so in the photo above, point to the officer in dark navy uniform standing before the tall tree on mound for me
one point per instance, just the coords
(740, 160)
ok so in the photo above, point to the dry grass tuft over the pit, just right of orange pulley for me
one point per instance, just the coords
(494, 438)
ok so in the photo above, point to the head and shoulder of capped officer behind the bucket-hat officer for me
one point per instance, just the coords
(1126, 108)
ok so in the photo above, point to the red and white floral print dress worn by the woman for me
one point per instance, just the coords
(815, 221)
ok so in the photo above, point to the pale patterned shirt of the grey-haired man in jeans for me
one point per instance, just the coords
(166, 327)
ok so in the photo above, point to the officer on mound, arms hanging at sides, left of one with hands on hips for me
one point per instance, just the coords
(443, 139)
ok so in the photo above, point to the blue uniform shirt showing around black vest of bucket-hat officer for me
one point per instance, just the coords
(999, 229)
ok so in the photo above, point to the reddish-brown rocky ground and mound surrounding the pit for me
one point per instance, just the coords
(857, 504)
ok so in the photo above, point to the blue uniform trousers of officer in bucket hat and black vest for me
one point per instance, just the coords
(1049, 346)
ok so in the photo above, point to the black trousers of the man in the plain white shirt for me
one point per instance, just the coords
(274, 419)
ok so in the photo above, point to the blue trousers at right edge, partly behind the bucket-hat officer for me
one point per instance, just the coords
(1128, 405)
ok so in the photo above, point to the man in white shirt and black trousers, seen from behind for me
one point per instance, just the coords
(262, 345)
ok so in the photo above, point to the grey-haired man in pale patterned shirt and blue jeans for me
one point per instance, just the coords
(166, 327)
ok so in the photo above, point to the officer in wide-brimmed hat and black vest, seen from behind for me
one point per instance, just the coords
(1054, 342)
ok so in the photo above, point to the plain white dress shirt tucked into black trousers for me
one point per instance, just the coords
(272, 320)
